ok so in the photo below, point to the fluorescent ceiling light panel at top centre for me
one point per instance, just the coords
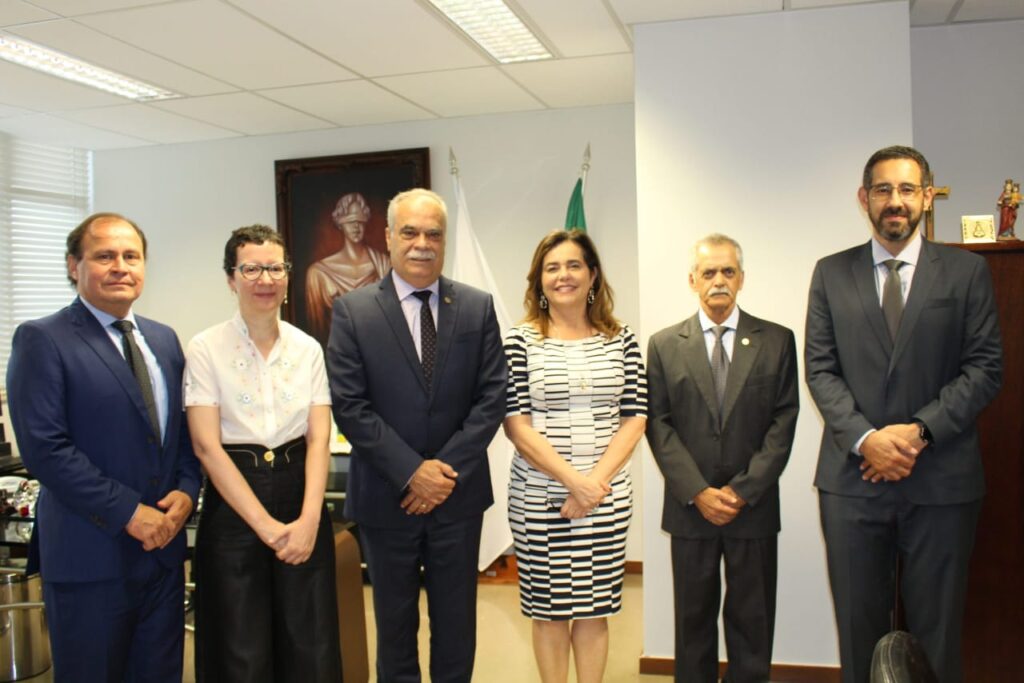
(495, 28)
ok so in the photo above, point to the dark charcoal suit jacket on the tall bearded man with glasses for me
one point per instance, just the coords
(945, 368)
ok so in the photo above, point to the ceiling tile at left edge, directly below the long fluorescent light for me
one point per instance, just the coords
(34, 91)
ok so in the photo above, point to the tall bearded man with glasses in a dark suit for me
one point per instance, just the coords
(903, 353)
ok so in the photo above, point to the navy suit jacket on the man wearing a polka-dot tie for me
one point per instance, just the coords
(394, 420)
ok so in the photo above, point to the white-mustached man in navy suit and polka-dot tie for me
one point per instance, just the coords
(418, 381)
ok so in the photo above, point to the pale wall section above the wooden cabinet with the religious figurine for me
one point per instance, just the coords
(968, 100)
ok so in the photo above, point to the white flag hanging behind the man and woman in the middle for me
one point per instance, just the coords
(472, 268)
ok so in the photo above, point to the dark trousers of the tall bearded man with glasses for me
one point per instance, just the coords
(864, 537)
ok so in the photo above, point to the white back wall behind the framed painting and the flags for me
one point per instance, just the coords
(518, 173)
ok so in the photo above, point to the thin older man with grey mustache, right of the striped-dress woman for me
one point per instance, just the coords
(723, 404)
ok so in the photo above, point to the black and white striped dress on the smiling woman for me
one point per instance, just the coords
(576, 393)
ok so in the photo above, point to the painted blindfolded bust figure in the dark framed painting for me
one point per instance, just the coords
(356, 265)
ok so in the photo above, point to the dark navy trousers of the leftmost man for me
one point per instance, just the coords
(130, 630)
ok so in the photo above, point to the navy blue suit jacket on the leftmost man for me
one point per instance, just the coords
(83, 432)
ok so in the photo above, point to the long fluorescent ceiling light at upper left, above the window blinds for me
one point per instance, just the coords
(50, 62)
